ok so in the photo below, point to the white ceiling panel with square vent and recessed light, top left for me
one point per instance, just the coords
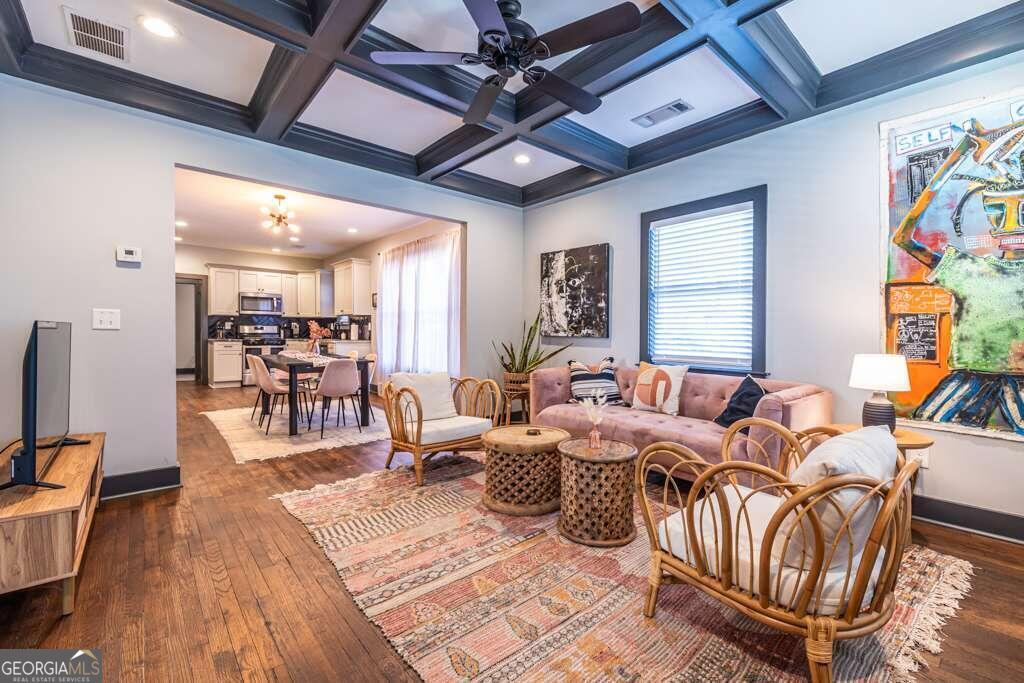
(206, 56)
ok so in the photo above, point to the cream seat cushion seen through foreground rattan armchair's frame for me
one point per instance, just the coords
(747, 559)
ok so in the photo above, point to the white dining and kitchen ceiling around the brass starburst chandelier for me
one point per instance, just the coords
(224, 214)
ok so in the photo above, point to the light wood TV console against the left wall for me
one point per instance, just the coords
(44, 531)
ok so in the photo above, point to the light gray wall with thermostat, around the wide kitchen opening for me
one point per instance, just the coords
(81, 177)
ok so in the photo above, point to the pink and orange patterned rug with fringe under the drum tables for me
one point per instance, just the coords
(464, 593)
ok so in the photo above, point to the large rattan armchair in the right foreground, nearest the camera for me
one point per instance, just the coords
(819, 562)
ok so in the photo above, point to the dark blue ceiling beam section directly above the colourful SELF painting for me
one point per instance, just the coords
(984, 38)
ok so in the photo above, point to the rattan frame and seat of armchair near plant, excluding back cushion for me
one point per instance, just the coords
(476, 399)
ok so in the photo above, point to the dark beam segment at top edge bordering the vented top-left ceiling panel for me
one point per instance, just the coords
(280, 23)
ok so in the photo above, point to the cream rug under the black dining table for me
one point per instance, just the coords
(248, 443)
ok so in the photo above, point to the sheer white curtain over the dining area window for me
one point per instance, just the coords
(419, 307)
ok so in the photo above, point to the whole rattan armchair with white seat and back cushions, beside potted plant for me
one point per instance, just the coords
(424, 418)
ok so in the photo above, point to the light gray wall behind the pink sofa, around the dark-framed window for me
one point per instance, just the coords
(824, 257)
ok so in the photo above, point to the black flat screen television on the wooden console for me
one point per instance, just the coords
(46, 404)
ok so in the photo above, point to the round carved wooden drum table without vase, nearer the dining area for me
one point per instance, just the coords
(523, 469)
